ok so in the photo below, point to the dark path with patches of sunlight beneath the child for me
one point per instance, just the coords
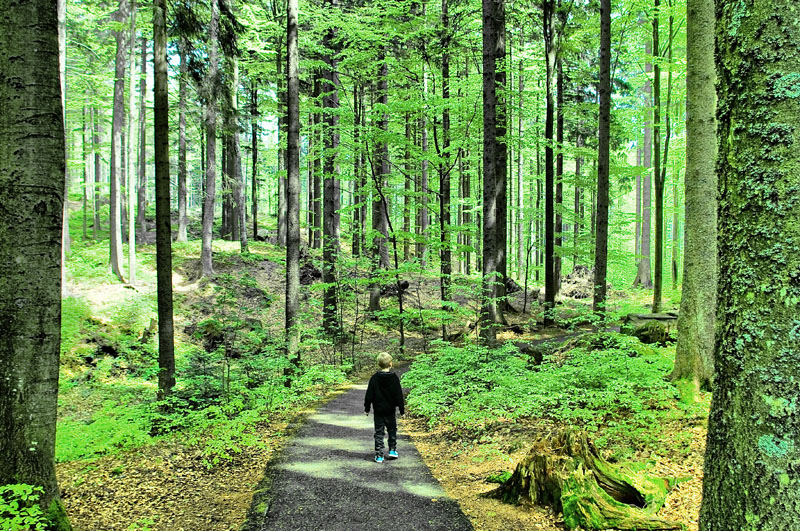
(326, 480)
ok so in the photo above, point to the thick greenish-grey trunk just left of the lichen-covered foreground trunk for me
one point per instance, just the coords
(694, 352)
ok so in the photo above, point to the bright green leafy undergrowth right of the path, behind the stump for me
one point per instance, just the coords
(607, 383)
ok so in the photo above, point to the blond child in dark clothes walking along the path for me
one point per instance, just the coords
(384, 394)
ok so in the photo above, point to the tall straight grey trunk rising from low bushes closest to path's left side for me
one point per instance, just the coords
(292, 185)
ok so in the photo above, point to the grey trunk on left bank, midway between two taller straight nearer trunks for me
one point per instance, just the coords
(211, 142)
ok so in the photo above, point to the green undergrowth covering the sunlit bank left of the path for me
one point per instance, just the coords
(229, 364)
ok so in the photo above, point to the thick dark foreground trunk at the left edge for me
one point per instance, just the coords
(32, 177)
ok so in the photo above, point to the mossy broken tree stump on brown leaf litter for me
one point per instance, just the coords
(567, 473)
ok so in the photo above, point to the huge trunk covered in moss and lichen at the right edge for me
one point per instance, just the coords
(752, 476)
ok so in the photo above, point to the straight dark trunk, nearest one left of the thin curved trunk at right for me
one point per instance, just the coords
(603, 161)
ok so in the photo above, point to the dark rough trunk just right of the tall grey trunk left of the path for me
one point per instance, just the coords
(330, 245)
